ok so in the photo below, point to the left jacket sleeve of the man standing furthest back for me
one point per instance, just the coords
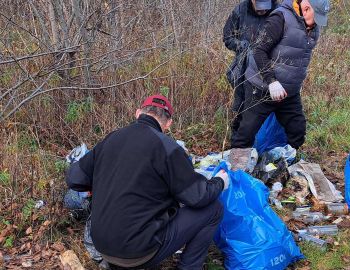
(231, 31)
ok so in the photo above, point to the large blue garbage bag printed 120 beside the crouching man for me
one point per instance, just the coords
(251, 235)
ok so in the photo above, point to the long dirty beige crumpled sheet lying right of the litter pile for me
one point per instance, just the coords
(320, 186)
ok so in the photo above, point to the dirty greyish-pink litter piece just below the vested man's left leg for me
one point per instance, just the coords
(243, 159)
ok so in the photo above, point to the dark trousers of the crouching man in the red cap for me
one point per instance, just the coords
(192, 228)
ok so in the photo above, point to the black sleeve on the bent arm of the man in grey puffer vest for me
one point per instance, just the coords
(269, 37)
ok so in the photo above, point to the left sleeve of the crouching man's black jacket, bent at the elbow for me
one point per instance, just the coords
(80, 174)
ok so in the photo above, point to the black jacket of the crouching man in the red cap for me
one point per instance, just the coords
(138, 176)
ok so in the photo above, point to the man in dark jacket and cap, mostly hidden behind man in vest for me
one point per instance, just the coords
(240, 32)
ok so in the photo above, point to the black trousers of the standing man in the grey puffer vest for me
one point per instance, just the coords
(258, 106)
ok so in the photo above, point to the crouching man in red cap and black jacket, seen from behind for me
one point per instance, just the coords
(138, 176)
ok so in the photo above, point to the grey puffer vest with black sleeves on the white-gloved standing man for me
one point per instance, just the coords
(285, 50)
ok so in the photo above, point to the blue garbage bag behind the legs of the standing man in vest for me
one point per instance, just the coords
(270, 135)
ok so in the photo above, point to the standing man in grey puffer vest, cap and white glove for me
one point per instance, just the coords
(277, 68)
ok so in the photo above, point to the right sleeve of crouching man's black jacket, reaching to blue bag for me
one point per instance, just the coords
(187, 186)
